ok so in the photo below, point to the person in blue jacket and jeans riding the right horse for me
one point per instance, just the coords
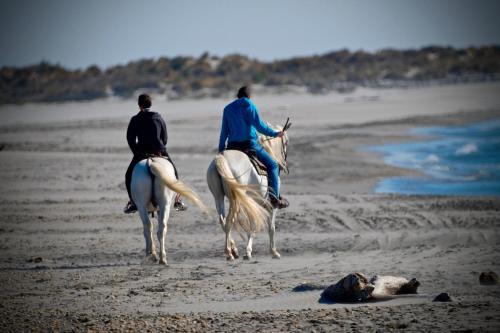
(240, 124)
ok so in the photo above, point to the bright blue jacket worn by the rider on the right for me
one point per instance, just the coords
(240, 122)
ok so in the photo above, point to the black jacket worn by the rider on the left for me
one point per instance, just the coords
(147, 133)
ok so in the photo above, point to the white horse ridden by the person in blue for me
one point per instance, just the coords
(232, 175)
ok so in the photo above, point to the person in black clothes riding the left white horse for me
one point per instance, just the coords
(147, 136)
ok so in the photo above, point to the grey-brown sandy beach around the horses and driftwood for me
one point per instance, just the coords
(71, 260)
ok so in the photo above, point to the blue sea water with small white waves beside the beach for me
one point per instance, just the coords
(461, 160)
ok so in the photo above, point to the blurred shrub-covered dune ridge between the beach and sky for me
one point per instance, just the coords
(182, 77)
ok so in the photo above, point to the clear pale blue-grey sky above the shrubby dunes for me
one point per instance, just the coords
(77, 34)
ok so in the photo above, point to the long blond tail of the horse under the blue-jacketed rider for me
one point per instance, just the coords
(247, 208)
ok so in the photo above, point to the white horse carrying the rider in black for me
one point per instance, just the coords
(155, 178)
